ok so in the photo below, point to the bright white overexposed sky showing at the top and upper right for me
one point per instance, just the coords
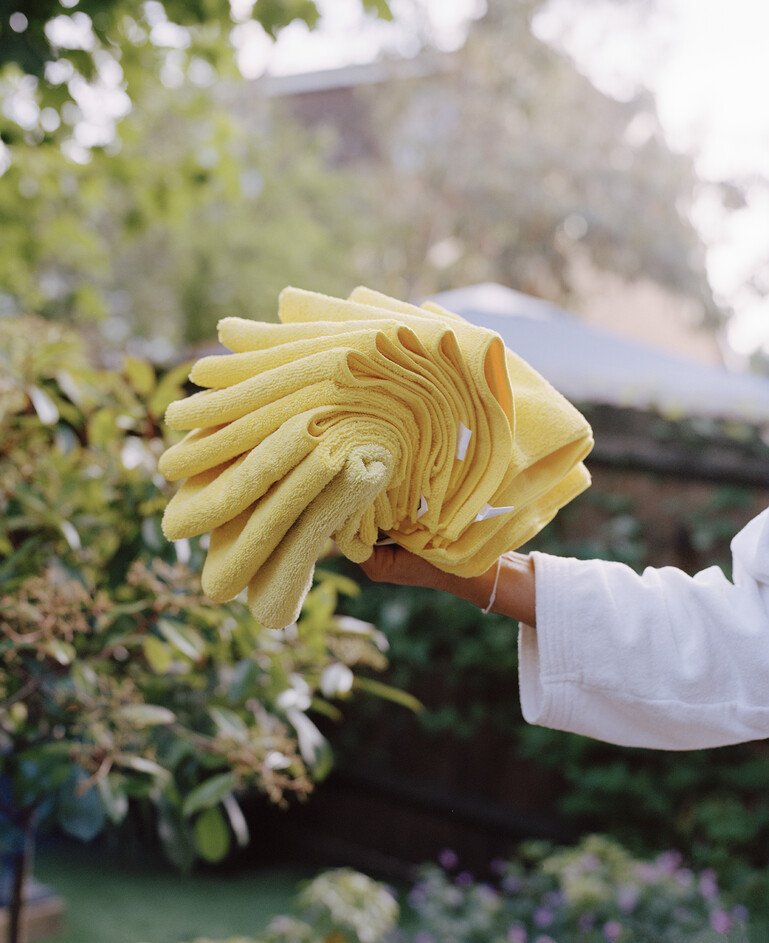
(704, 60)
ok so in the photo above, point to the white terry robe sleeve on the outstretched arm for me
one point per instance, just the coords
(661, 660)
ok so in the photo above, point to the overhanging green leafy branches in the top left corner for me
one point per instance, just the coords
(54, 54)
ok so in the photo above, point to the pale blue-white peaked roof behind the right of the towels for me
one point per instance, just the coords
(590, 365)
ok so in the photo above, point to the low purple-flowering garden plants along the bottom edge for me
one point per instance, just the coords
(595, 892)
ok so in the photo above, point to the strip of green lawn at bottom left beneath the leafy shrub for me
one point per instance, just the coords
(109, 901)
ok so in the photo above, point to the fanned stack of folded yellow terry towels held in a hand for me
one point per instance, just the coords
(364, 419)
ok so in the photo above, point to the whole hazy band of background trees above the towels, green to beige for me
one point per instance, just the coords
(185, 193)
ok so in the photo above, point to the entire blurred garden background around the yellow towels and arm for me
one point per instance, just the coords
(588, 177)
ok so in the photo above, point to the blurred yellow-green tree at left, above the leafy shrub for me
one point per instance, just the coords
(191, 216)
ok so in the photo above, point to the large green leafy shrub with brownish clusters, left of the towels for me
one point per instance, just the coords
(119, 681)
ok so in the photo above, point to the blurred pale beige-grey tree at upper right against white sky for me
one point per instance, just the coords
(511, 166)
